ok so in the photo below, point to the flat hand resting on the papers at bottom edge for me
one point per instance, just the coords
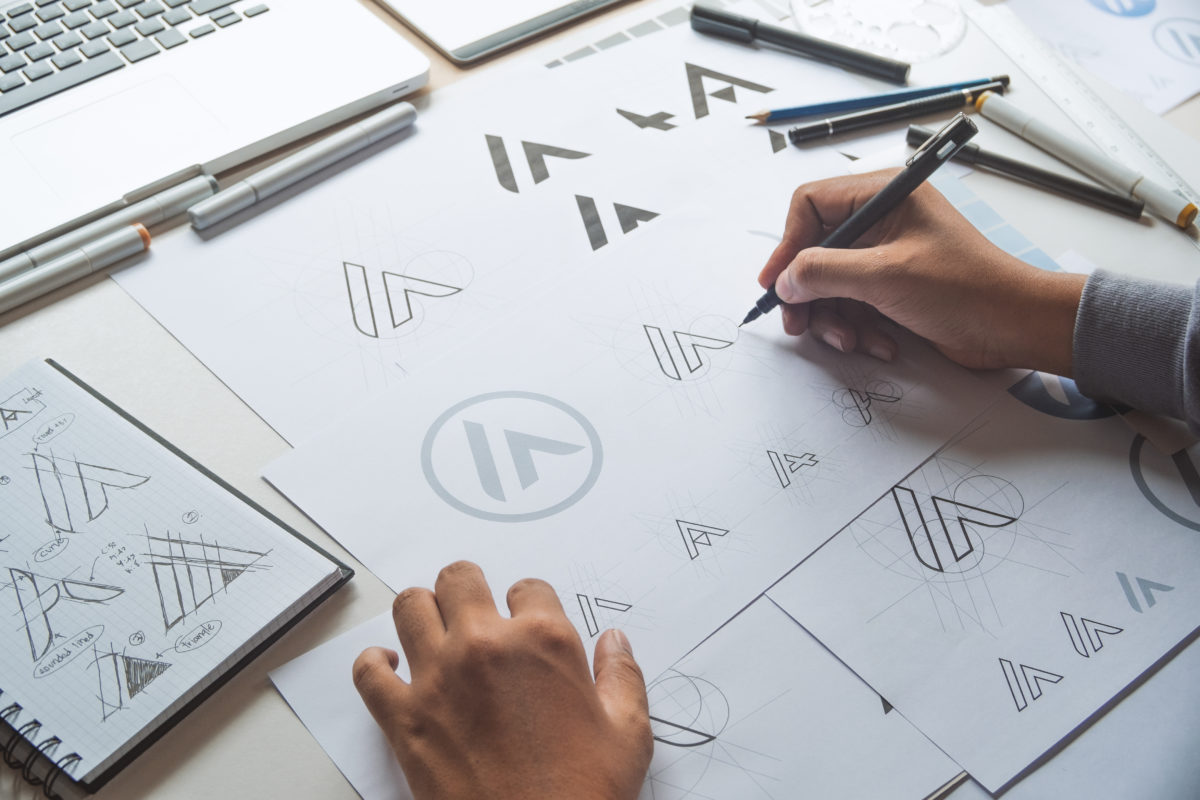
(506, 708)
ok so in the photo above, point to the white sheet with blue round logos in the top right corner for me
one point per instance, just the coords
(1149, 49)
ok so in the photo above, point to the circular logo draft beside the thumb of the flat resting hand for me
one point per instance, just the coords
(686, 711)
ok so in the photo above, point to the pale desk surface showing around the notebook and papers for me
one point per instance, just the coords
(245, 742)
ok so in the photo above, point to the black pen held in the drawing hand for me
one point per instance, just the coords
(932, 155)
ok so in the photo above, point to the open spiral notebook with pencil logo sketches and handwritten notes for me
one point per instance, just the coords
(134, 582)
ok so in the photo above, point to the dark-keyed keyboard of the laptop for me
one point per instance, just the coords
(50, 46)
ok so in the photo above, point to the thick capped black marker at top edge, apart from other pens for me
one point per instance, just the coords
(710, 20)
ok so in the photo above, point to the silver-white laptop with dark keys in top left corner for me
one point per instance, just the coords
(101, 100)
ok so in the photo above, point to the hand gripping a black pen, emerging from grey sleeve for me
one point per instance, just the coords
(926, 268)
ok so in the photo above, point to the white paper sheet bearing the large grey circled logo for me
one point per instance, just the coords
(711, 461)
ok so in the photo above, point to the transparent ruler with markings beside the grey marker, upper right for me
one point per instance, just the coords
(1084, 107)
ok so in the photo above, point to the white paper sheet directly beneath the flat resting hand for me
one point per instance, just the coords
(785, 720)
